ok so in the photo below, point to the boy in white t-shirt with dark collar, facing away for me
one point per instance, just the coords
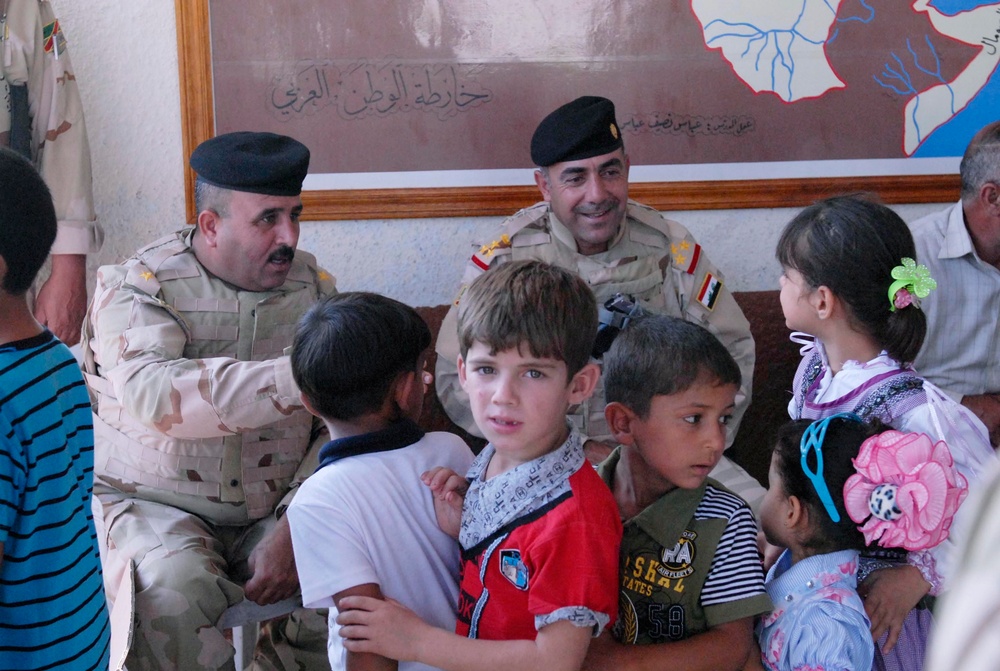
(364, 523)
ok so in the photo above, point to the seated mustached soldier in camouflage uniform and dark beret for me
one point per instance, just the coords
(200, 434)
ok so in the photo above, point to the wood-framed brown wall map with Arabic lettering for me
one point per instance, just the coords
(422, 108)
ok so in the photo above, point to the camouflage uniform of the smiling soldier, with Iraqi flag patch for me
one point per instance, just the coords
(651, 258)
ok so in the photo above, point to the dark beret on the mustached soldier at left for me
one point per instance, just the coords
(274, 165)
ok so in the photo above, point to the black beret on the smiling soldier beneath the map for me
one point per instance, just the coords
(580, 129)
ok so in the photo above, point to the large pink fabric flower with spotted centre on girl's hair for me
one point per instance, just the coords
(906, 490)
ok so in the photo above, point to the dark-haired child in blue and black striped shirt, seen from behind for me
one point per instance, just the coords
(52, 607)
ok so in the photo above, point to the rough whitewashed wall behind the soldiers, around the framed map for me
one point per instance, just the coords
(125, 54)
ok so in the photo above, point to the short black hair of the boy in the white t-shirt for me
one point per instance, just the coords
(350, 348)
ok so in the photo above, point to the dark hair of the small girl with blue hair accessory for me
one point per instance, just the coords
(841, 444)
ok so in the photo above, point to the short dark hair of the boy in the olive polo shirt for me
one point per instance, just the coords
(658, 355)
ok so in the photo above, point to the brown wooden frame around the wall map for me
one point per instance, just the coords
(198, 124)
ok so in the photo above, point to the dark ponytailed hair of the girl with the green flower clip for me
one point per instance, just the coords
(850, 244)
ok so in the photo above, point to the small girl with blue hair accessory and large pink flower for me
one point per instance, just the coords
(835, 487)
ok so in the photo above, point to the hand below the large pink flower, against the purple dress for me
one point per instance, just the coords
(889, 595)
